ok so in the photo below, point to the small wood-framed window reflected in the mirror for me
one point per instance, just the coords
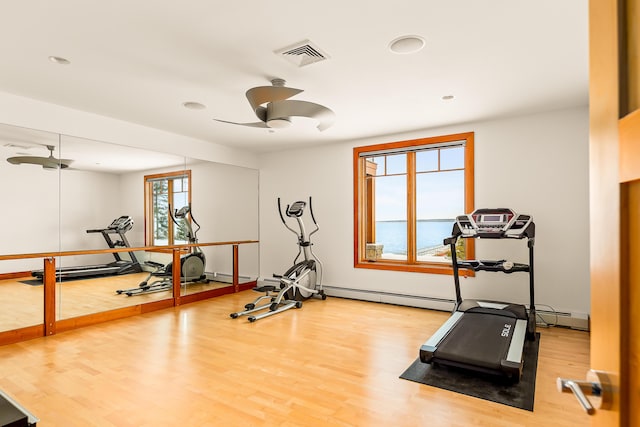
(165, 193)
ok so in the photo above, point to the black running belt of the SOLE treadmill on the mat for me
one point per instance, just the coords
(477, 340)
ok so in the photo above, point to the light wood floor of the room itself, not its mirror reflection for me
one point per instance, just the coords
(332, 363)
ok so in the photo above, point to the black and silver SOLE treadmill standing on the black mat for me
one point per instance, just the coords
(486, 336)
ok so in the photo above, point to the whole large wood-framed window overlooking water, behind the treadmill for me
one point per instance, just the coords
(407, 196)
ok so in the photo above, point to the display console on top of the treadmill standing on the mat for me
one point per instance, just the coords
(495, 223)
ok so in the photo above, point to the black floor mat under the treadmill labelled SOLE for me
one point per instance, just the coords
(483, 386)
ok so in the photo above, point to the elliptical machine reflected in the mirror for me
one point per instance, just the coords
(192, 265)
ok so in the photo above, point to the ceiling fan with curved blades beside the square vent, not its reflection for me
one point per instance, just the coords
(274, 108)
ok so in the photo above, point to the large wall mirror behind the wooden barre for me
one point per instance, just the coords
(62, 191)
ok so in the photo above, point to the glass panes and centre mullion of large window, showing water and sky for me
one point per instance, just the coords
(437, 178)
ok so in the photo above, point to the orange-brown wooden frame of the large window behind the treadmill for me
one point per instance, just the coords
(364, 210)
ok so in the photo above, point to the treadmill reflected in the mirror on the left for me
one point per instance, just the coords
(119, 227)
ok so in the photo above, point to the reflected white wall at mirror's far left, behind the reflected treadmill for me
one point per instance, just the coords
(47, 211)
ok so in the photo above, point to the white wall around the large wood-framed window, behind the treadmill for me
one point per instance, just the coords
(535, 164)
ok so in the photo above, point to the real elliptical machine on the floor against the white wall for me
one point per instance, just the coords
(300, 282)
